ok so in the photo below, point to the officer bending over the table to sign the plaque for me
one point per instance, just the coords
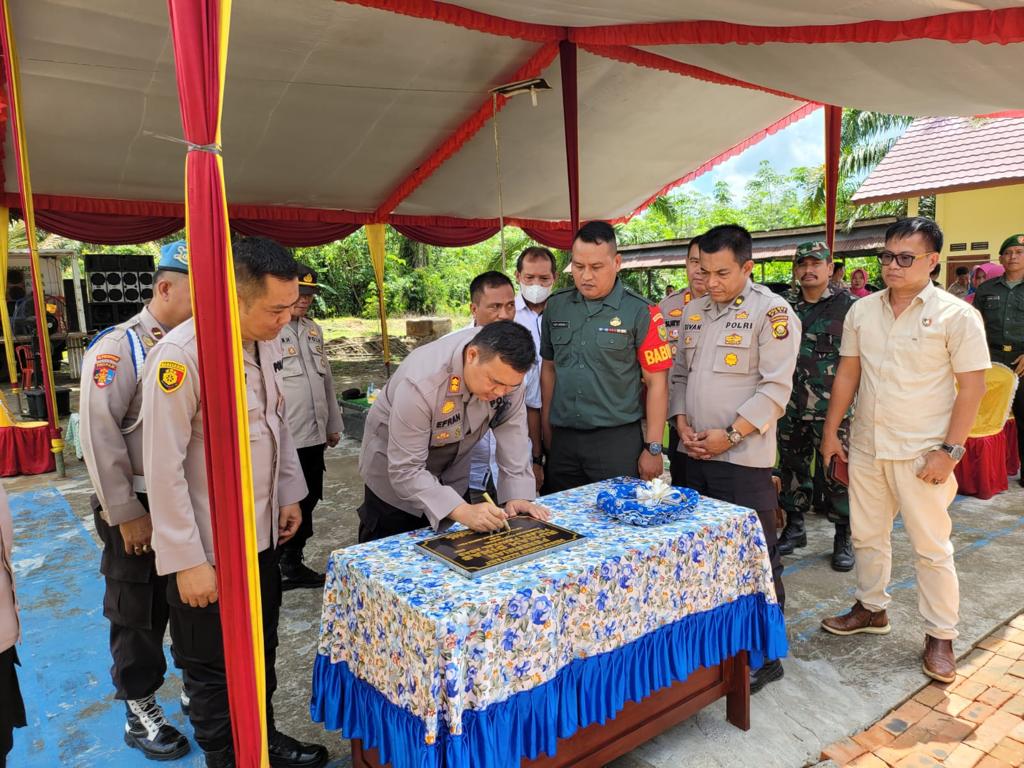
(422, 429)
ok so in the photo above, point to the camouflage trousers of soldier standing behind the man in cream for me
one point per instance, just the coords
(799, 452)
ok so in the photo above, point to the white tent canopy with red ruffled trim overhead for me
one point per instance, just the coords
(331, 108)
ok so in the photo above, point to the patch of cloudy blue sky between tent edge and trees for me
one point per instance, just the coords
(800, 145)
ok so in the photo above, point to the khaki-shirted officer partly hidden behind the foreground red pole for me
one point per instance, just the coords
(183, 534)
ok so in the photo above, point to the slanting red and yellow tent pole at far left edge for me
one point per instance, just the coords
(13, 75)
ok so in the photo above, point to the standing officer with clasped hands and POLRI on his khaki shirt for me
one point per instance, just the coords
(732, 381)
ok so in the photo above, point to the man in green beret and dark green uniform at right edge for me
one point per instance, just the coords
(1001, 303)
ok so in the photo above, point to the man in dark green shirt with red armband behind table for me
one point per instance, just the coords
(600, 343)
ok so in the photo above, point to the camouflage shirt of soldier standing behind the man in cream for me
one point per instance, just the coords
(823, 331)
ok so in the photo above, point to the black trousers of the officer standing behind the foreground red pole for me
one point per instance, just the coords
(198, 650)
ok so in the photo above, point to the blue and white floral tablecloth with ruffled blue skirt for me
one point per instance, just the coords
(434, 669)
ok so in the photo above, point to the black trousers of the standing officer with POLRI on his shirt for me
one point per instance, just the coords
(748, 487)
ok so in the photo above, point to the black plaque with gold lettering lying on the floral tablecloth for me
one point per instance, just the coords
(475, 554)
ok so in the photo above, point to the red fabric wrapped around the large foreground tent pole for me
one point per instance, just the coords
(195, 28)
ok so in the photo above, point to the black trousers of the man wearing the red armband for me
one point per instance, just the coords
(579, 457)
